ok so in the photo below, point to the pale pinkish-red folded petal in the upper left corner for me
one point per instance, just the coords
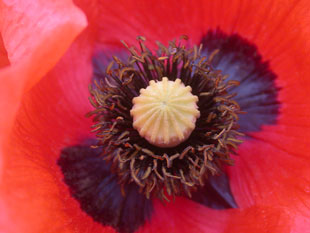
(32, 47)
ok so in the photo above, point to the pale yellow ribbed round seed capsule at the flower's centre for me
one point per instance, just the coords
(165, 112)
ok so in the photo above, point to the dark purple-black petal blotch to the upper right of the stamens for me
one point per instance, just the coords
(257, 92)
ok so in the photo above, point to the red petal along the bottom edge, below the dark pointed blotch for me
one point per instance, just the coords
(183, 216)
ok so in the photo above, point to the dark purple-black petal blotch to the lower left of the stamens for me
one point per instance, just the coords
(98, 192)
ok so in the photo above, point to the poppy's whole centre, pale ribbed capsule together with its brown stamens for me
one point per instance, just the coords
(148, 125)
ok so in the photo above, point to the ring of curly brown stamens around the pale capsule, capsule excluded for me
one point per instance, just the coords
(156, 170)
